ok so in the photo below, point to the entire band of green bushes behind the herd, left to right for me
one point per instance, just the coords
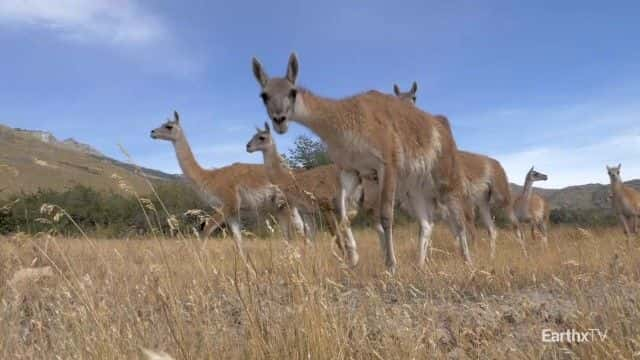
(117, 215)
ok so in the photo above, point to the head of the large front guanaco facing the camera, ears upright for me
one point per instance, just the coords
(278, 94)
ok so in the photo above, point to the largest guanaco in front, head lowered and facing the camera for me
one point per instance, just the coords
(376, 135)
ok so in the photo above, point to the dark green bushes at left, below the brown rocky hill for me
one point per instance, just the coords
(106, 214)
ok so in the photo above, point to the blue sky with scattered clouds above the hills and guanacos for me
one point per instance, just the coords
(553, 85)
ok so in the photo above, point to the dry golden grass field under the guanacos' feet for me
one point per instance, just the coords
(108, 298)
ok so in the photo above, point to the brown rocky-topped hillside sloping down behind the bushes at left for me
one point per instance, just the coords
(30, 160)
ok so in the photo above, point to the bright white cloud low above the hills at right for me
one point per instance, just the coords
(568, 166)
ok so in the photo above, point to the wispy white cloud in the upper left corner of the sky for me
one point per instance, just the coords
(126, 27)
